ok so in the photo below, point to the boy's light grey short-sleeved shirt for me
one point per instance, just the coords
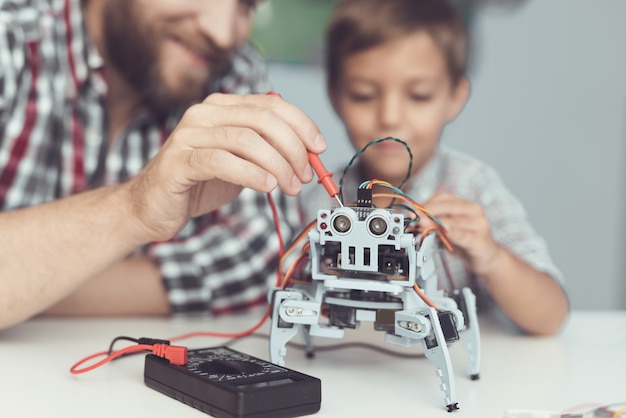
(466, 177)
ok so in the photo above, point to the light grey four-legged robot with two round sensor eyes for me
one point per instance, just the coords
(364, 266)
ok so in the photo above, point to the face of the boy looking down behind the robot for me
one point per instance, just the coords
(402, 89)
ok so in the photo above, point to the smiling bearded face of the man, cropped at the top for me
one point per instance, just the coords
(168, 50)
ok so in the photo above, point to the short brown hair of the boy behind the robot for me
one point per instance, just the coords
(357, 25)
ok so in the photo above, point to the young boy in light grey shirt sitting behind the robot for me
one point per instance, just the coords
(396, 68)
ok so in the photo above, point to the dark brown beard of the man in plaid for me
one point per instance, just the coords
(132, 46)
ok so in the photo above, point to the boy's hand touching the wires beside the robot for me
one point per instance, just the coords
(468, 230)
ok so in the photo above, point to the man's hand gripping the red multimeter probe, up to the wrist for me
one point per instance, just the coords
(220, 146)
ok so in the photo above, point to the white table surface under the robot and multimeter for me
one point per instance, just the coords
(584, 364)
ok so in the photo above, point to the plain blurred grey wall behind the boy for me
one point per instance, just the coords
(548, 111)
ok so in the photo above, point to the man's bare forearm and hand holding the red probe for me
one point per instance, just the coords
(220, 146)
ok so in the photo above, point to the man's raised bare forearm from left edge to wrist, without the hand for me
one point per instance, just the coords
(48, 251)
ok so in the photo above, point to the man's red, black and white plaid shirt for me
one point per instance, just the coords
(53, 144)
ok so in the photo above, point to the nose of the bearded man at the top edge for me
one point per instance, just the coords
(221, 20)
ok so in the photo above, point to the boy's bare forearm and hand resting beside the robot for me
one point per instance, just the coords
(534, 300)
